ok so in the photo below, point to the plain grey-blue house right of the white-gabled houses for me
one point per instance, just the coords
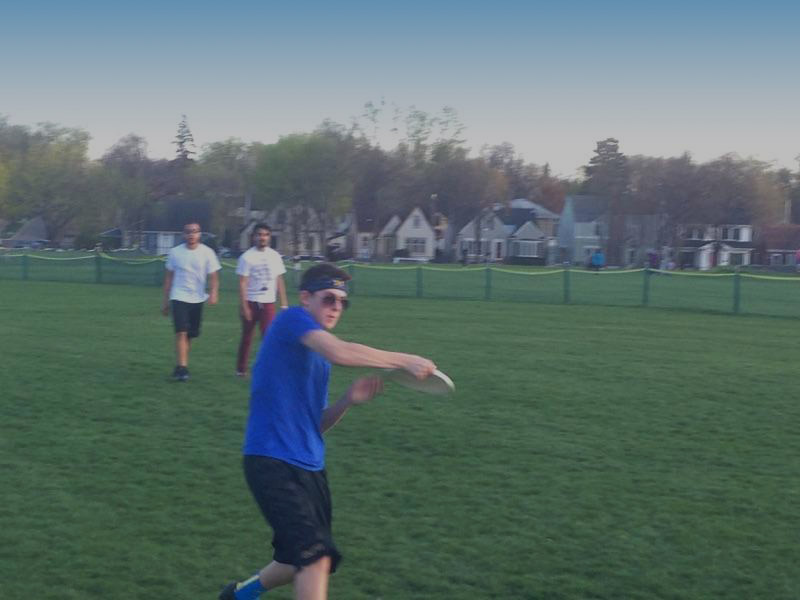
(583, 228)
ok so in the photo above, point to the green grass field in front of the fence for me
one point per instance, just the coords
(590, 452)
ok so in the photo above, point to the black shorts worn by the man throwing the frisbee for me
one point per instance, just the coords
(297, 505)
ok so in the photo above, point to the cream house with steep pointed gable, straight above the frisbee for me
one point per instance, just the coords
(412, 237)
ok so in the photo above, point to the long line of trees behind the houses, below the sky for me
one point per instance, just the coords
(45, 171)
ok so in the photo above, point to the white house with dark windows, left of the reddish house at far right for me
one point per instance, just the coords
(707, 246)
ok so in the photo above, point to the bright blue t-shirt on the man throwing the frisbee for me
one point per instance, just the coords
(288, 394)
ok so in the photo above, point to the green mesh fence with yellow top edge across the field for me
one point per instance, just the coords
(735, 292)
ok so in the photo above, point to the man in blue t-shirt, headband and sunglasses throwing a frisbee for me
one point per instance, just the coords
(284, 452)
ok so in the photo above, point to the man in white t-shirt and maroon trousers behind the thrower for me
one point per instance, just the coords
(260, 272)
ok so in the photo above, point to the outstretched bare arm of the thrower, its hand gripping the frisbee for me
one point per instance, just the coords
(350, 354)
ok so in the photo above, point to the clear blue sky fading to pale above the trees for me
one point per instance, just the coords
(552, 78)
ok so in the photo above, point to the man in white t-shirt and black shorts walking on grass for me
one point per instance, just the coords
(188, 267)
